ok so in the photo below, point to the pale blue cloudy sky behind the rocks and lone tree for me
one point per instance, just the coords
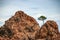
(34, 8)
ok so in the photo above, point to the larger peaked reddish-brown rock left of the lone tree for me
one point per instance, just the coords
(19, 27)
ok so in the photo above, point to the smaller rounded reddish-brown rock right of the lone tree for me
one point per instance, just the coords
(49, 30)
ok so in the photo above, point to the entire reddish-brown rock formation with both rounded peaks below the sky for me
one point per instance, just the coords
(23, 27)
